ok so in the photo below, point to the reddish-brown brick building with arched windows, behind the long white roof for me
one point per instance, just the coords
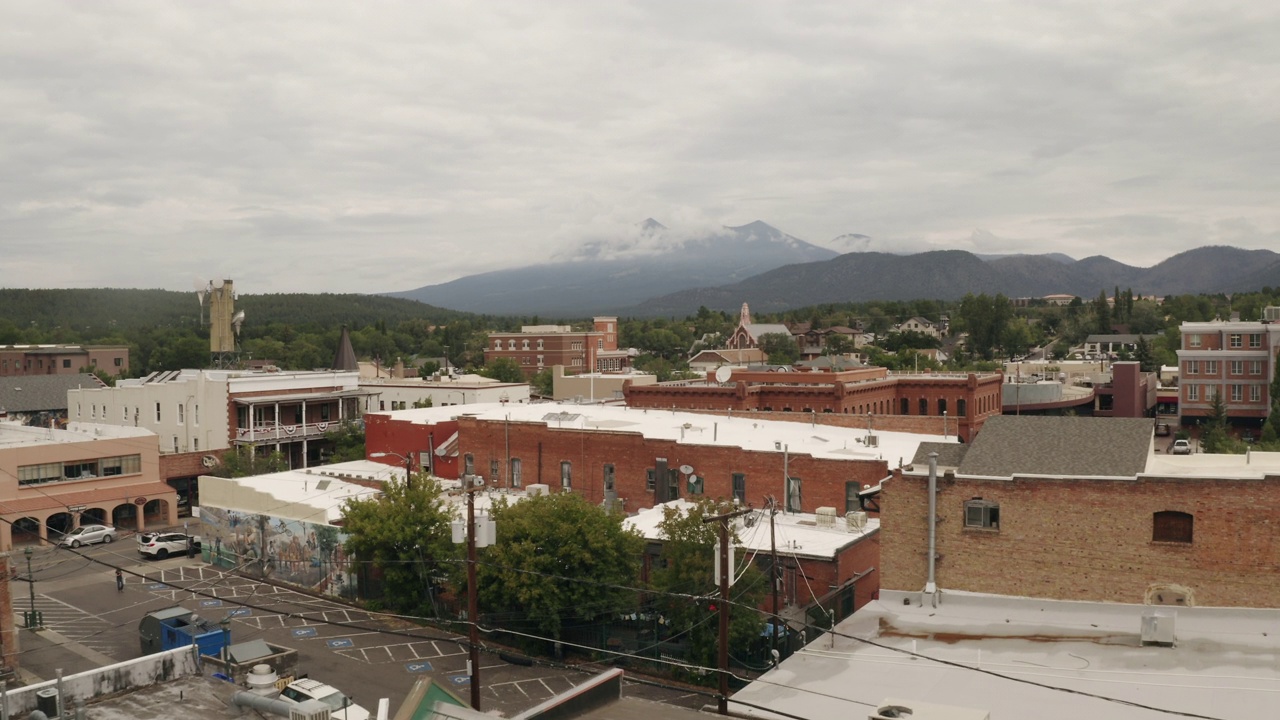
(966, 400)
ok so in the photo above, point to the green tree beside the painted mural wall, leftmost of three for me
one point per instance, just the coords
(405, 534)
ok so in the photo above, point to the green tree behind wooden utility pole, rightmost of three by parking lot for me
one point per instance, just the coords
(689, 589)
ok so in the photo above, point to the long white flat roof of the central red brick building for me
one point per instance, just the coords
(693, 429)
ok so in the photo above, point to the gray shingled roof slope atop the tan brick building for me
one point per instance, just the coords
(1066, 446)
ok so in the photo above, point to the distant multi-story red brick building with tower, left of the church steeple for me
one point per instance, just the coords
(538, 348)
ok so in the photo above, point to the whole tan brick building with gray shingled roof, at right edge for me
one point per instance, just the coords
(1084, 509)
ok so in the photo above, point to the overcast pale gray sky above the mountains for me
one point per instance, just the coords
(374, 147)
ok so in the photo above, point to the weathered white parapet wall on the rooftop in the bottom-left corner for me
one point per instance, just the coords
(113, 680)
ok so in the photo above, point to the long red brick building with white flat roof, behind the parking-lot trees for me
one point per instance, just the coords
(642, 458)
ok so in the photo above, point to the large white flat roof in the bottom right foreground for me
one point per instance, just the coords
(1223, 663)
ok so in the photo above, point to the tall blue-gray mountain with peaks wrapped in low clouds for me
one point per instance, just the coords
(609, 275)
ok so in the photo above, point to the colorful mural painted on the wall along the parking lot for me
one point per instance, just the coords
(290, 552)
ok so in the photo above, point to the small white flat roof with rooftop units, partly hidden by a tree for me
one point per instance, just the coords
(797, 534)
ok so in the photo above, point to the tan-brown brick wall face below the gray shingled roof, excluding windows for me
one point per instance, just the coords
(1089, 540)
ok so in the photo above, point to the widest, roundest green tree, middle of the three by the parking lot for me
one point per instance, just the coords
(560, 562)
